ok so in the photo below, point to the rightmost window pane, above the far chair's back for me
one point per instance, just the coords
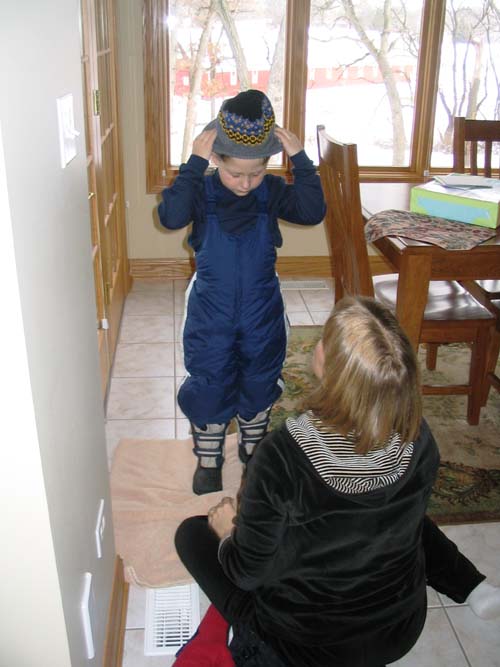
(469, 74)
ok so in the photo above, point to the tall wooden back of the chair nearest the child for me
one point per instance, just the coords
(344, 223)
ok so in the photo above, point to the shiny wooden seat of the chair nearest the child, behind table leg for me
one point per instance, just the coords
(447, 300)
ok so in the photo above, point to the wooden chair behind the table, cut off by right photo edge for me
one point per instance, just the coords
(468, 136)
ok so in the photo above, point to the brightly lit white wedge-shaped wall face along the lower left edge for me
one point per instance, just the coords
(27, 557)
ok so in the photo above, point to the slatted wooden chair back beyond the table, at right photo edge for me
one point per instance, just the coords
(468, 136)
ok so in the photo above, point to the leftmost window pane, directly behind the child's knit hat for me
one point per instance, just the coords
(215, 53)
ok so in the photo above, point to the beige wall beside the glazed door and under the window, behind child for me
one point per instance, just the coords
(146, 239)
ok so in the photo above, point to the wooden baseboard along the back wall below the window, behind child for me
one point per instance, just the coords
(318, 266)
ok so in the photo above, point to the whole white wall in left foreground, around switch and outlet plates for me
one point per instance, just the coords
(54, 468)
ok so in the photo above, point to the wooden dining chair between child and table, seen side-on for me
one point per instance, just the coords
(452, 315)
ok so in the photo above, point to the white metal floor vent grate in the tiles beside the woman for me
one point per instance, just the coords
(172, 617)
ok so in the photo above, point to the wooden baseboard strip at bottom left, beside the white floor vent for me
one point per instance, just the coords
(117, 618)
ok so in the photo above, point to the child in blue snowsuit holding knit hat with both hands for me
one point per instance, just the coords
(235, 332)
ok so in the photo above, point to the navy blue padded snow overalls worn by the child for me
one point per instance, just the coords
(234, 334)
